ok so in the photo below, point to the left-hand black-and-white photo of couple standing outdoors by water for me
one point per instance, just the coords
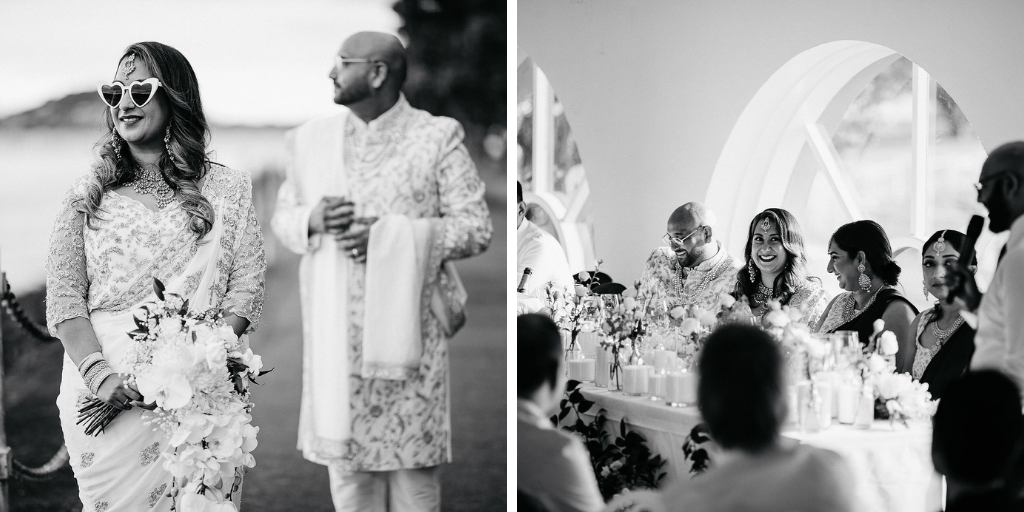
(252, 255)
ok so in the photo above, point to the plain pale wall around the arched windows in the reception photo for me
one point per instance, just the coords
(653, 90)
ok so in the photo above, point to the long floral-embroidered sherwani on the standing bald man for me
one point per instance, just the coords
(405, 162)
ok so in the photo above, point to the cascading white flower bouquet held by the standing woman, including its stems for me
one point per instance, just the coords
(197, 372)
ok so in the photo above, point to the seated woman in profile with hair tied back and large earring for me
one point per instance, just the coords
(862, 259)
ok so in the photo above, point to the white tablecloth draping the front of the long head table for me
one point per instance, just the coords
(892, 466)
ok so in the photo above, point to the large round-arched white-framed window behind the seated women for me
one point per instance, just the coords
(852, 131)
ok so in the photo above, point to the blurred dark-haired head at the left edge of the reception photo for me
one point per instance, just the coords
(539, 357)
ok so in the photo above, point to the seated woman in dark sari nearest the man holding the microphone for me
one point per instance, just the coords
(944, 344)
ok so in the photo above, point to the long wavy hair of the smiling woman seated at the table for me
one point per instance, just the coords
(795, 273)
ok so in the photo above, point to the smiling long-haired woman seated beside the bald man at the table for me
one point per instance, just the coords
(777, 268)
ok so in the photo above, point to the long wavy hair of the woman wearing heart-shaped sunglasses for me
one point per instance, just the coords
(188, 161)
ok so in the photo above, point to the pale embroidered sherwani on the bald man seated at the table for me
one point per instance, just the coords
(704, 285)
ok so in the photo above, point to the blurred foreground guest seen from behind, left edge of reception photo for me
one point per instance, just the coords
(554, 467)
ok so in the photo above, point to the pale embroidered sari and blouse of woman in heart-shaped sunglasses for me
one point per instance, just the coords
(104, 274)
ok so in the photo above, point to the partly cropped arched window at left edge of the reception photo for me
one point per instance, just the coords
(550, 169)
